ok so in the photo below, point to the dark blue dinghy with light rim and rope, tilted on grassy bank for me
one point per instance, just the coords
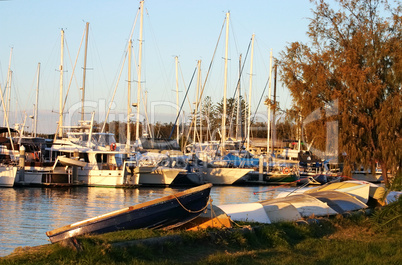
(167, 212)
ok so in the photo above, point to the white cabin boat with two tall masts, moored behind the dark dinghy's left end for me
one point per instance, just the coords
(90, 158)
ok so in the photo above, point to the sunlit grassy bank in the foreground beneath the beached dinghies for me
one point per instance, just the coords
(356, 239)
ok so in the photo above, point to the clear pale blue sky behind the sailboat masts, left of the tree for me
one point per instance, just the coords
(188, 29)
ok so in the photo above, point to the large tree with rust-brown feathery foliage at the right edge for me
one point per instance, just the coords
(353, 58)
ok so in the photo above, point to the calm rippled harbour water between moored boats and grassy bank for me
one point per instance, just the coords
(27, 213)
